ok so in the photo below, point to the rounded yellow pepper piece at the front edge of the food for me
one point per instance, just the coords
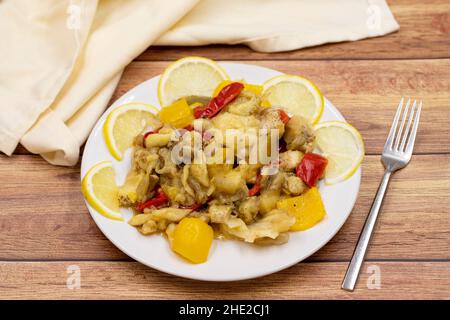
(192, 239)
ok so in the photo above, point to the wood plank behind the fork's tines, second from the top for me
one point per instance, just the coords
(366, 92)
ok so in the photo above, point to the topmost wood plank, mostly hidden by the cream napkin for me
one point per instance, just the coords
(424, 33)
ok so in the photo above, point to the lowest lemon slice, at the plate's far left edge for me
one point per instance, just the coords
(100, 190)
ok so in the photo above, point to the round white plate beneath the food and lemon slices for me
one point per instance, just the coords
(228, 260)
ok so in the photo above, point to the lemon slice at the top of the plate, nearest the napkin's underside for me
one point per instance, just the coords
(190, 76)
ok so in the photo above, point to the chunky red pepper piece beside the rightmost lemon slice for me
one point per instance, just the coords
(311, 168)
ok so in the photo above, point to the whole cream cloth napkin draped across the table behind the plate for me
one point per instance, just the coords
(60, 60)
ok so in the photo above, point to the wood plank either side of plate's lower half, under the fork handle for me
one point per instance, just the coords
(43, 216)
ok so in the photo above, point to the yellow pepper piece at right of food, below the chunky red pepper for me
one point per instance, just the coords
(308, 209)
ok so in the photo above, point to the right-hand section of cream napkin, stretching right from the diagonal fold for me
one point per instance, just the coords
(273, 26)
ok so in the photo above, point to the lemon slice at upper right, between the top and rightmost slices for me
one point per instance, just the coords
(296, 95)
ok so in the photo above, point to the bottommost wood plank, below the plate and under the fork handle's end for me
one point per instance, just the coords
(130, 280)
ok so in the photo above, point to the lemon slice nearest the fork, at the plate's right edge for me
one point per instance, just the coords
(343, 146)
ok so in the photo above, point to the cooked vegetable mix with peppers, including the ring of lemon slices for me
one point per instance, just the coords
(222, 159)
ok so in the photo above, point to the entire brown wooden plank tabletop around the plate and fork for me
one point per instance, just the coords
(45, 227)
